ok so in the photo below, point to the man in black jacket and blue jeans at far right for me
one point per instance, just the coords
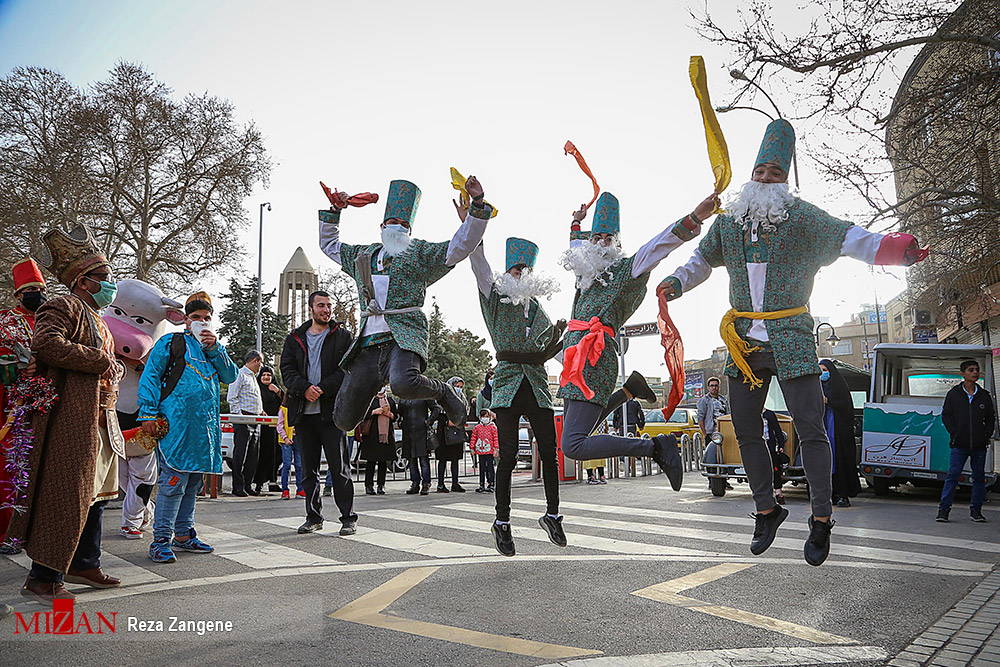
(969, 416)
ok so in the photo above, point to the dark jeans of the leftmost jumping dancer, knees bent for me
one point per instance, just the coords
(370, 370)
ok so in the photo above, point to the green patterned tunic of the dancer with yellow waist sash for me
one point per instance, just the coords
(808, 240)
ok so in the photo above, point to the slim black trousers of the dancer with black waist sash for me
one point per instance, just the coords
(543, 425)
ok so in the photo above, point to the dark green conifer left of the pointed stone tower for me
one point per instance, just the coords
(239, 322)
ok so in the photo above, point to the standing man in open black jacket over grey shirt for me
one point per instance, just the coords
(310, 367)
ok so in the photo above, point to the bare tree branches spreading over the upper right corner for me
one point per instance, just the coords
(907, 96)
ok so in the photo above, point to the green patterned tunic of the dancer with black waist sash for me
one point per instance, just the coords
(513, 331)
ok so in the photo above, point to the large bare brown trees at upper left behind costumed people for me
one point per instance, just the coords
(160, 180)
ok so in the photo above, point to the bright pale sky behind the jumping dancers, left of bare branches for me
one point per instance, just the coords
(359, 93)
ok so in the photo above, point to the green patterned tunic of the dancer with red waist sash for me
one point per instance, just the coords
(613, 303)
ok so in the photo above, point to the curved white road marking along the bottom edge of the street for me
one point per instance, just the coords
(778, 656)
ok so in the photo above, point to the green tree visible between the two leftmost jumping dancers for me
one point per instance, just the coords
(456, 352)
